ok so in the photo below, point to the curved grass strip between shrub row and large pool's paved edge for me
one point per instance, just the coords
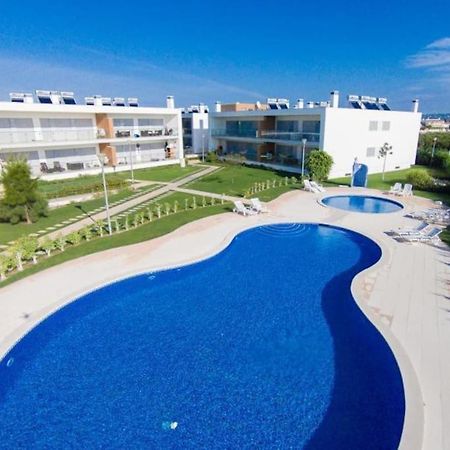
(148, 231)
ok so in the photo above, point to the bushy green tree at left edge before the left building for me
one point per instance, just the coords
(21, 200)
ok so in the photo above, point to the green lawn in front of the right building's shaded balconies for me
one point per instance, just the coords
(235, 180)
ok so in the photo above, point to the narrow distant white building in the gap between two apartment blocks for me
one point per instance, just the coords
(195, 120)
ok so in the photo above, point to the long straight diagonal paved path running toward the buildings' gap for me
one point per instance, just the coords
(124, 206)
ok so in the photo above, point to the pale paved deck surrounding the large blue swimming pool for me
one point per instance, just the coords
(406, 294)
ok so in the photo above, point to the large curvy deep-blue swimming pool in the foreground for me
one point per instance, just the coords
(260, 346)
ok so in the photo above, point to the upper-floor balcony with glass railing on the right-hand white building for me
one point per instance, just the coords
(282, 136)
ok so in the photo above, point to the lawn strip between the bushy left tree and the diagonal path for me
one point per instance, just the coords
(10, 232)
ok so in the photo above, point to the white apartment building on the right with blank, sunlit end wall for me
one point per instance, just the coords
(276, 134)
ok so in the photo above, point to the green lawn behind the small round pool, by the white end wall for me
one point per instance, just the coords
(375, 182)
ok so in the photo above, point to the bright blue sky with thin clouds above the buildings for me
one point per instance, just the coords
(229, 50)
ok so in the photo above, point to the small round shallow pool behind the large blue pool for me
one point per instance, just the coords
(362, 203)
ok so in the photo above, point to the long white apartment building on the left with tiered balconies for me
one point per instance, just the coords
(60, 138)
